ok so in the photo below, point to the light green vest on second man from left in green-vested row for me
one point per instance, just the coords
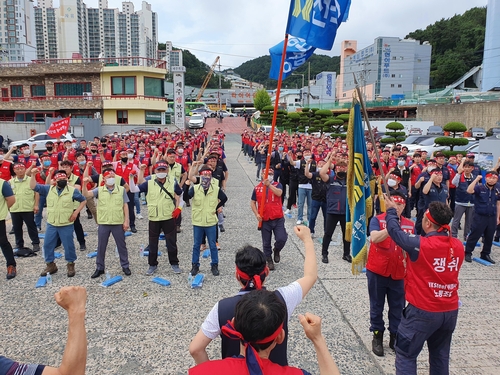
(60, 207)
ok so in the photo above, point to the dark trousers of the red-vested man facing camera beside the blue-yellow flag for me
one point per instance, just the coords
(378, 288)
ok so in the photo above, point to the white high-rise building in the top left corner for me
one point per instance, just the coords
(18, 39)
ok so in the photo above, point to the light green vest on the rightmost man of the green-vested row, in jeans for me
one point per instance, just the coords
(203, 208)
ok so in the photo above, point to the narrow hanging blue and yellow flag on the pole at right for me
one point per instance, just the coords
(359, 200)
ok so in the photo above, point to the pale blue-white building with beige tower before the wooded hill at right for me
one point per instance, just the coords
(390, 66)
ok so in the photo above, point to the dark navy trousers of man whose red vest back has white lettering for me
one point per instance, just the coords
(418, 326)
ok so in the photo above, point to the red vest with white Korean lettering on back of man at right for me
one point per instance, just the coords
(431, 283)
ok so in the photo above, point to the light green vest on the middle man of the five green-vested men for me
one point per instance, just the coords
(110, 206)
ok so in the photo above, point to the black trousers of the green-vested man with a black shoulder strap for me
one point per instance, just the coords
(169, 228)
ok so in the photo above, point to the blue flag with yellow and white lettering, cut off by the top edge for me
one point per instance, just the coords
(317, 21)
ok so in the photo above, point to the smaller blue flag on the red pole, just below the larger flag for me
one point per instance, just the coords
(297, 52)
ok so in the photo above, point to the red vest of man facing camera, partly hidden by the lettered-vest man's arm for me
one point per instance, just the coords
(386, 258)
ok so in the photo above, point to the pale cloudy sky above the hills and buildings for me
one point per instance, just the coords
(239, 30)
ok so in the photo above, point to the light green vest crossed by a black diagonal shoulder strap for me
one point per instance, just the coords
(160, 205)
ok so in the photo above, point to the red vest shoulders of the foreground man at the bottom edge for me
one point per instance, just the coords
(231, 366)
